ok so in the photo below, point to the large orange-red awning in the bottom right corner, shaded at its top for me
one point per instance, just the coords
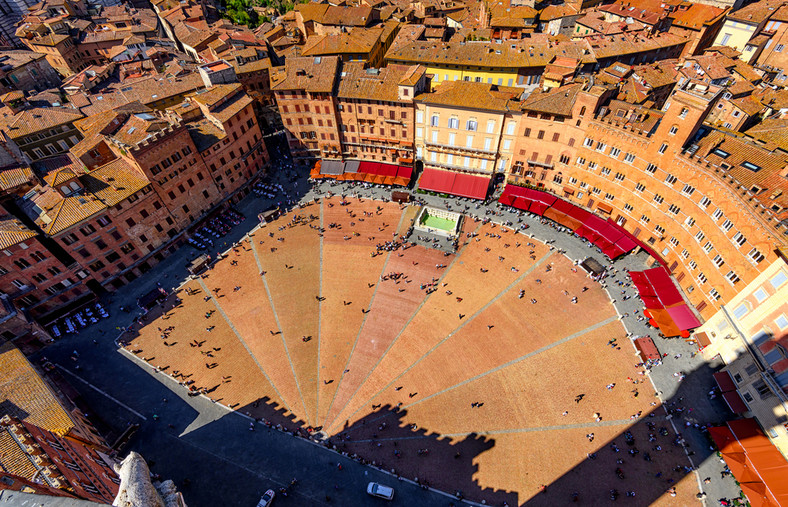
(759, 467)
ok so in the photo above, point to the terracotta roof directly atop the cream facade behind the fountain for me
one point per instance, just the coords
(469, 94)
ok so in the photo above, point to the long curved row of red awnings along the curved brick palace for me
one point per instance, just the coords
(610, 237)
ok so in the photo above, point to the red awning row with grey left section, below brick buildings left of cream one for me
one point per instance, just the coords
(369, 172)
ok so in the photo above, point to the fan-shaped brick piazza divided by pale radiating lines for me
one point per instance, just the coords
(310, 328)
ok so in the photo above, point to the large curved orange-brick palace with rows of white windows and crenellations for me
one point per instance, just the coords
(687, 191)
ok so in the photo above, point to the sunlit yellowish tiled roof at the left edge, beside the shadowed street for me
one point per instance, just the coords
(28, 394)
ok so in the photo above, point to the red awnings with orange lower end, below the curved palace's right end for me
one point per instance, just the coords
(665, 307)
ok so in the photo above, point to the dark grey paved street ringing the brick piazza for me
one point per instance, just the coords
(228, 464)
